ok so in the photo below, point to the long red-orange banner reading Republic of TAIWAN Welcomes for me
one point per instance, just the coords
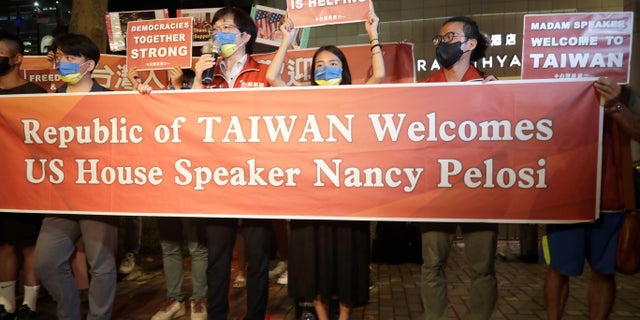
(502, 151)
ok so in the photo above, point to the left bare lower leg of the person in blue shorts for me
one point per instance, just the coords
(556, 292)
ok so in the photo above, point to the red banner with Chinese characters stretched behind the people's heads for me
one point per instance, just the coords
(111, 71)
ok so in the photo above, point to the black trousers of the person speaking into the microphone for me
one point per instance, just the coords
(221, 237)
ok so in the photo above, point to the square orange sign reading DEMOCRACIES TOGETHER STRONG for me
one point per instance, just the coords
(159, 44)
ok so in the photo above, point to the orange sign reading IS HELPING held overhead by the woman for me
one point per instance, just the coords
(306, 13)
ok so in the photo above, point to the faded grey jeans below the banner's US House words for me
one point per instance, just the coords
(56, 244)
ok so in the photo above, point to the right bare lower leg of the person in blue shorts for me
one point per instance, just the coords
(602, 292)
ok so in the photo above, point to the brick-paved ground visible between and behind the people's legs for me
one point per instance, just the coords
(395, 294)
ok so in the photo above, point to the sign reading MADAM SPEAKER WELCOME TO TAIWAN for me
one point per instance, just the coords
(577, 45)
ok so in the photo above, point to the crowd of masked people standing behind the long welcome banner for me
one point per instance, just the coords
(321, 260)
